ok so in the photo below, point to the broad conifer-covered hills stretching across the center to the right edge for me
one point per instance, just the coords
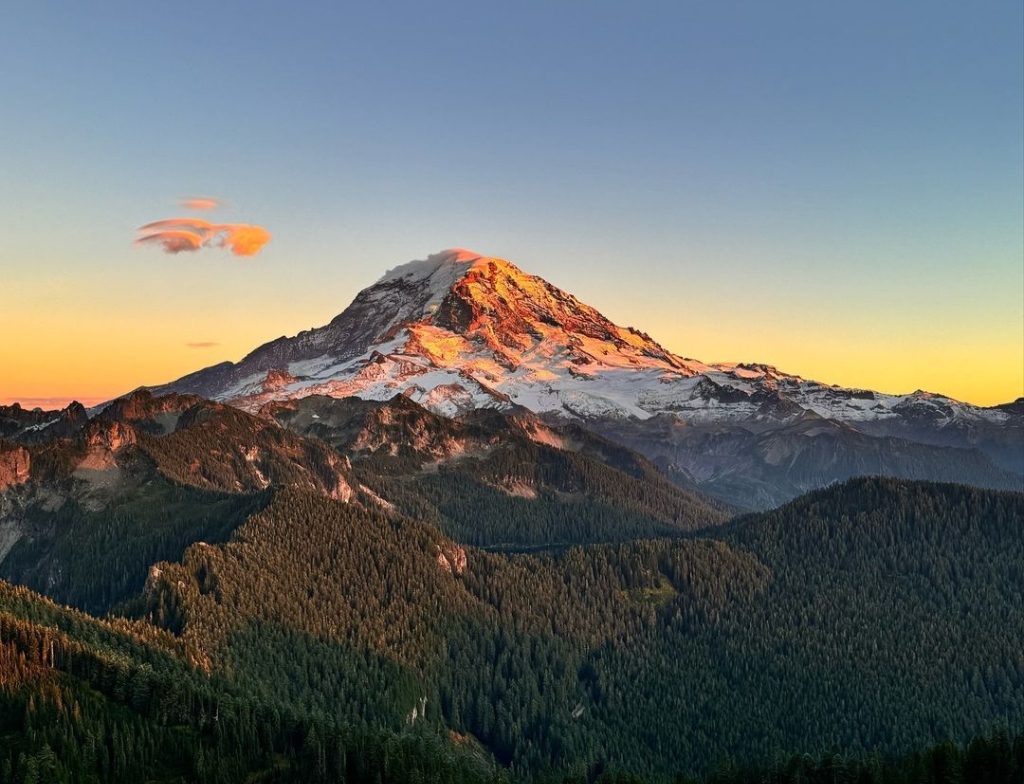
(848, 620)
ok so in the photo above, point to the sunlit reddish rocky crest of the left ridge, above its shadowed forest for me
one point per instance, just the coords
(189, 440)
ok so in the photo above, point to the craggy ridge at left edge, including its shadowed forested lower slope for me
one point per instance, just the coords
(93, 511)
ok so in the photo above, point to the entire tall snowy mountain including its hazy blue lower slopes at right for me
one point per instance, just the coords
(460, 332)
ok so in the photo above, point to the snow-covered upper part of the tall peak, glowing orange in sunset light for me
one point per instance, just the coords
(460, 330)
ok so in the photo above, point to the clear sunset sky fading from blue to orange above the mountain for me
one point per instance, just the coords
(833, 189)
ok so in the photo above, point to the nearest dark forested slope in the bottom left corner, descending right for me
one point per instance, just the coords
(90, 702)
